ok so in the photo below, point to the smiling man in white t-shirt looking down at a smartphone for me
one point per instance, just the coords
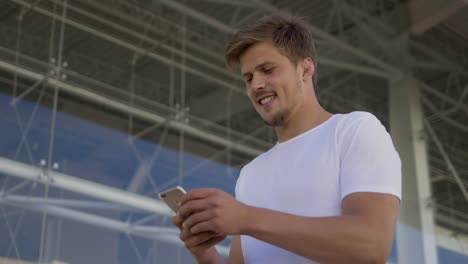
(328, 191)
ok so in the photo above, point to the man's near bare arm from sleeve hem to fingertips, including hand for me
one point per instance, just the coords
(363, 234)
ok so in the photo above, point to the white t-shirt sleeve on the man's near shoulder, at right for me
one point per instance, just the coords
(368, 159)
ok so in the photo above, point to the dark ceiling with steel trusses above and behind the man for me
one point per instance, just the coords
(162, 62)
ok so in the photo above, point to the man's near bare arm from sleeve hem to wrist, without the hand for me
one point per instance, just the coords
(364, 233)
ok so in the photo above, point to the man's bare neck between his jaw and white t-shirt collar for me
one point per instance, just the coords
(302, 120)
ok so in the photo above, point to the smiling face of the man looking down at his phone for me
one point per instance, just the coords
(274, 83)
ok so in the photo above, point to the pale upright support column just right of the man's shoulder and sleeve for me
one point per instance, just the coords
(415, 231)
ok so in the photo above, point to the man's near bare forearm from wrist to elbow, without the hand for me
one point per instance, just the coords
(343, 239)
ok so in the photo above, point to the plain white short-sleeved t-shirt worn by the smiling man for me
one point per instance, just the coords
(310, 174)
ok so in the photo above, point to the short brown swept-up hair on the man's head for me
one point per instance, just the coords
(289, 35)
